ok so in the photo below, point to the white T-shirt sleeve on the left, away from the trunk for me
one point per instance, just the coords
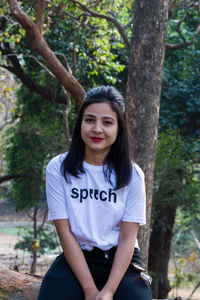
(55, 191)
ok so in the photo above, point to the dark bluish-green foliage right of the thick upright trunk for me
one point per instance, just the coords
(180, 102)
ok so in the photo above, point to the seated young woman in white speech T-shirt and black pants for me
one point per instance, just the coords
(96, 199)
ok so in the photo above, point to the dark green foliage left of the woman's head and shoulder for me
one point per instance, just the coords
(36, 134)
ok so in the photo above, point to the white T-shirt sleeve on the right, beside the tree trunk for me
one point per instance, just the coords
(135, 207)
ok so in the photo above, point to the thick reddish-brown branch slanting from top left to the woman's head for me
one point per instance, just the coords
(38, 44)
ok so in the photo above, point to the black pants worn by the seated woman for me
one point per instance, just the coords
(60, 283)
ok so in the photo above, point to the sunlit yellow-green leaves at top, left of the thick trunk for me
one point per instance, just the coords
(92, 47)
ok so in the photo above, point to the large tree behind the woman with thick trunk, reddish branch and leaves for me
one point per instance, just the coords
(145, 64)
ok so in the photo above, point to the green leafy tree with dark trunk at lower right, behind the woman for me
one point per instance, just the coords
(176, 185)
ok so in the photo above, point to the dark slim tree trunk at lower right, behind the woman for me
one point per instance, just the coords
(160, 248)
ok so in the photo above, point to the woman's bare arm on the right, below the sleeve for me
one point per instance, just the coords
(124, 253)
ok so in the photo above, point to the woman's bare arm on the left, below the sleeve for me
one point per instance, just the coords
(75, 258)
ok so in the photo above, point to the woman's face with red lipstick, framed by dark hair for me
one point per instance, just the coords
(99, 129)
